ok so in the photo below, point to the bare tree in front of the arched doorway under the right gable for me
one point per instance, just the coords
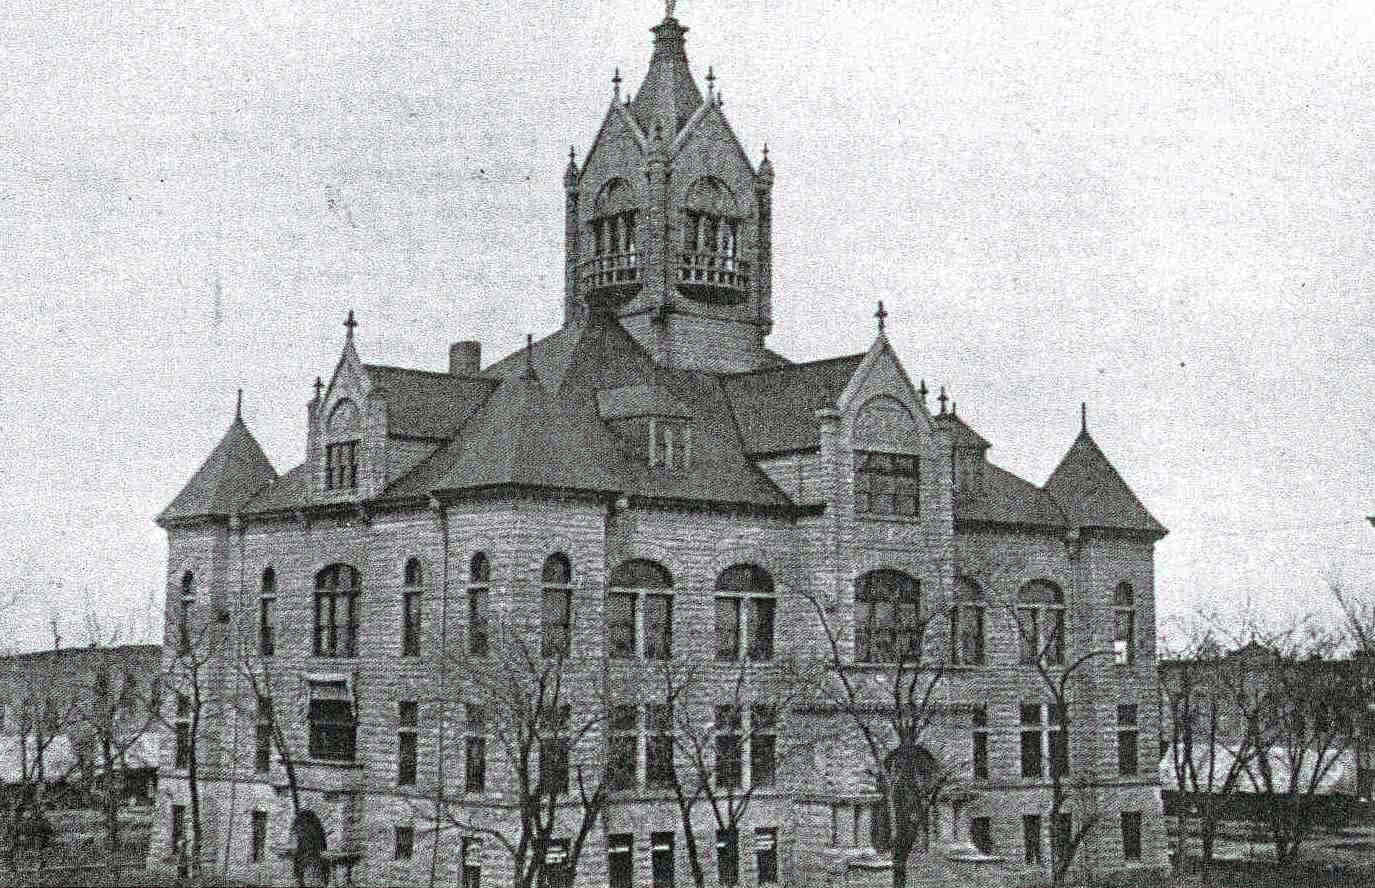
(894, 711)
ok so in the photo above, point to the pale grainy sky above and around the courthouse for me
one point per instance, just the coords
(1161, 208)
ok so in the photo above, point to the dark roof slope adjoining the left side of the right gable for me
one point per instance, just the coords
(776, 409)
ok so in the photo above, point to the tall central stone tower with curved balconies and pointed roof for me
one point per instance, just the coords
(669, 225)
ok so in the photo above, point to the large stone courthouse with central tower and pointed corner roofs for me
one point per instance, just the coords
(652, 485)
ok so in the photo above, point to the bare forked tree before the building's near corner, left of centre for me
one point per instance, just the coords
(533, 703)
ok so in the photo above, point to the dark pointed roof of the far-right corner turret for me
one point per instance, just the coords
(1092, 493)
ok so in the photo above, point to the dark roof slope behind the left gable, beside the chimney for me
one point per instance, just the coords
(424, 403)
